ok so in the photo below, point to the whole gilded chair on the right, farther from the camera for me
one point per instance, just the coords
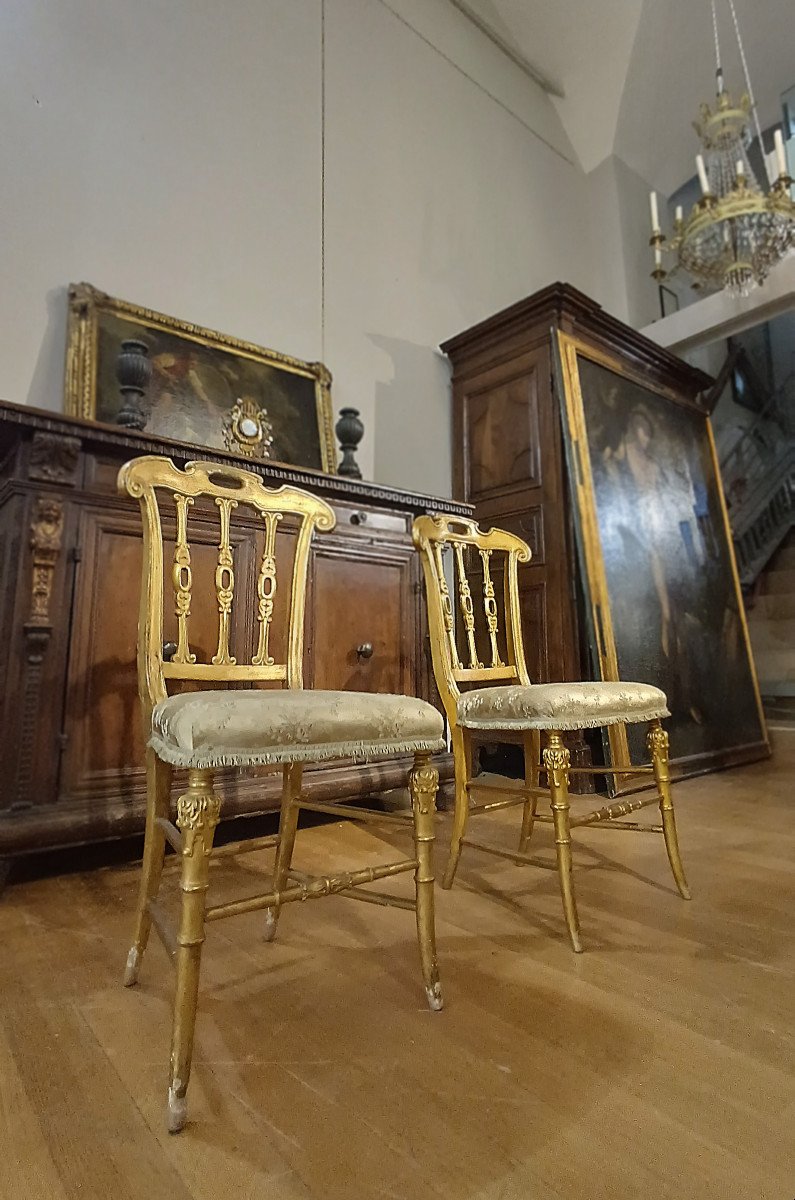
(499, 699)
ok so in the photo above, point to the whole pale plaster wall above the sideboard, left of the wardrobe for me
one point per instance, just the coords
(177, 163)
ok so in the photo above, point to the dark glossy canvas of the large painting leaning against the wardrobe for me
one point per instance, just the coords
(674, 602)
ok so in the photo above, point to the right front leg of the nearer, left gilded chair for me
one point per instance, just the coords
(425, 784)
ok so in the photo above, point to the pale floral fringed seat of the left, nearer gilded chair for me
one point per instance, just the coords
(236, 729)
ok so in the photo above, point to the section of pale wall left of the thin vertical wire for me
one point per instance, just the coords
(172, 163)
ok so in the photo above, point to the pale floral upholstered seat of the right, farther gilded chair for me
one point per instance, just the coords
(560, 706)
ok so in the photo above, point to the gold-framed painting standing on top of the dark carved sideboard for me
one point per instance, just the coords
(207, 389)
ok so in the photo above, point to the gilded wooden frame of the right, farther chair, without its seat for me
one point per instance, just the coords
(433, 536)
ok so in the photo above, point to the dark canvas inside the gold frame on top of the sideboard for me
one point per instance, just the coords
(195, 387)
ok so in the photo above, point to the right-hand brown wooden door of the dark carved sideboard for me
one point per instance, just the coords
(364, 597)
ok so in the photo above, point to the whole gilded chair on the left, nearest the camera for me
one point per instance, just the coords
(248, 715)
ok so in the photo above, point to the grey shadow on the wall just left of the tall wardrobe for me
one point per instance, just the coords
(414, 418)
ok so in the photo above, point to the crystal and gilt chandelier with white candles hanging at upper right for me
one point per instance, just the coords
(736, 232)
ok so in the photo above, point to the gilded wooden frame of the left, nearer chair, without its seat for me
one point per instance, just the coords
(199, 811)
